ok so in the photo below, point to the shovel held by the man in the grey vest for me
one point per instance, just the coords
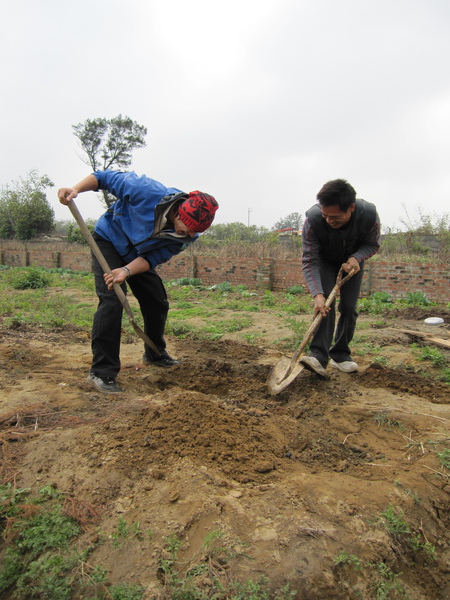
(286, 371)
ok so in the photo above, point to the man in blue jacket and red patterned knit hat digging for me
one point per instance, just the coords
(146, 225)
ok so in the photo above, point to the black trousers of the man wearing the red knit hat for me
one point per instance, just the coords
(151, 295)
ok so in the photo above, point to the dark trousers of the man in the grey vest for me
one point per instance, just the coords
(322, 346)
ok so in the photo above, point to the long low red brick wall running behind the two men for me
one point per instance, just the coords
(432, 279)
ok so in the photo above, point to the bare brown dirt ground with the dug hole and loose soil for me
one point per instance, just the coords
(296, 479)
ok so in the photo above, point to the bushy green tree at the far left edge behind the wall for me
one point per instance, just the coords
(24, 208)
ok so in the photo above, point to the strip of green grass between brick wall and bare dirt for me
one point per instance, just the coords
(197, 312)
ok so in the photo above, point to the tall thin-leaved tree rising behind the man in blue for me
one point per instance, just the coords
(109, 143)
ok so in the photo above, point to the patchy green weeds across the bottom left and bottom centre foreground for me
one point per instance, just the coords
(42, 559)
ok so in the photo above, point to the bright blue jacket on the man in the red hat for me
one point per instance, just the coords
(130, 224)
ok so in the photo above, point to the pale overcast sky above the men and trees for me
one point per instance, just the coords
(257, 102)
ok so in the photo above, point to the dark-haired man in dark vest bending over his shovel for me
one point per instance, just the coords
(340, 230)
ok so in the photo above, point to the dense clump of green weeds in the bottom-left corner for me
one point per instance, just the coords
(40, 560)
